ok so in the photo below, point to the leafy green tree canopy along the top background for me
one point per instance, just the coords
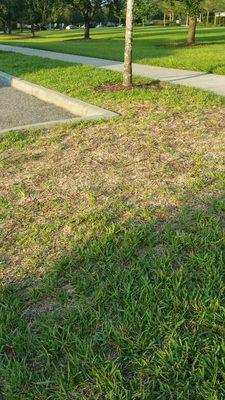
(89, 12)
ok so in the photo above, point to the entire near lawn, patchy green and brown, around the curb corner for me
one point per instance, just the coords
(112, 245)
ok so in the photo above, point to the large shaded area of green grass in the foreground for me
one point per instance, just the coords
(136, 312)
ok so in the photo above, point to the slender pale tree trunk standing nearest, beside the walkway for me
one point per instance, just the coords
(127, 75)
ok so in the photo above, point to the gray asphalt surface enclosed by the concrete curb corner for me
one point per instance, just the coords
(19, 109)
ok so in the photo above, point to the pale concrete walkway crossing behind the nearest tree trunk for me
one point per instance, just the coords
(202, 80)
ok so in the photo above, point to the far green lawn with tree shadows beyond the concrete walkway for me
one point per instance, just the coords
(154, 46)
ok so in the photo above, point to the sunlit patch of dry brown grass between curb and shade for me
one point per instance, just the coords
(60, 184)
